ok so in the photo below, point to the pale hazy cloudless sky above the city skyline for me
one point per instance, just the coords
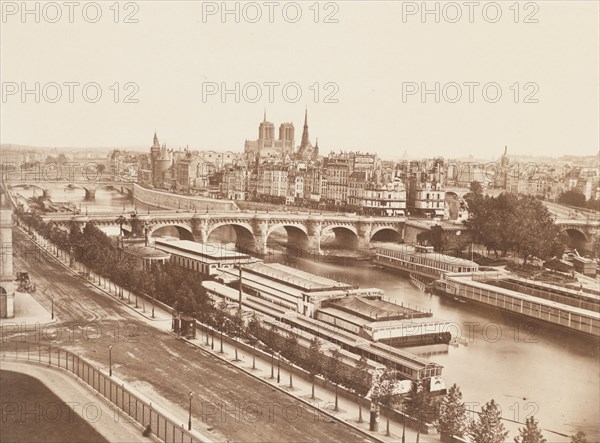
(365, 61)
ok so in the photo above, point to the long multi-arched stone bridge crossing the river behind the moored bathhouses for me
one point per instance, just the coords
(306, 231)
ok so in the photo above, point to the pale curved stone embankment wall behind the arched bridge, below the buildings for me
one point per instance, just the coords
(168, 200)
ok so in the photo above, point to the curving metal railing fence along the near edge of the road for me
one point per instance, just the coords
(164, 428)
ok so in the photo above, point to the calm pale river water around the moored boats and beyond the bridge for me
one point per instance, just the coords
(527, 367)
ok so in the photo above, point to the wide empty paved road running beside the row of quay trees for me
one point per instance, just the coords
(164, 367)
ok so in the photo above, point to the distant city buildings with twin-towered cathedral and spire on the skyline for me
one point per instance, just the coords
(276, 171)
